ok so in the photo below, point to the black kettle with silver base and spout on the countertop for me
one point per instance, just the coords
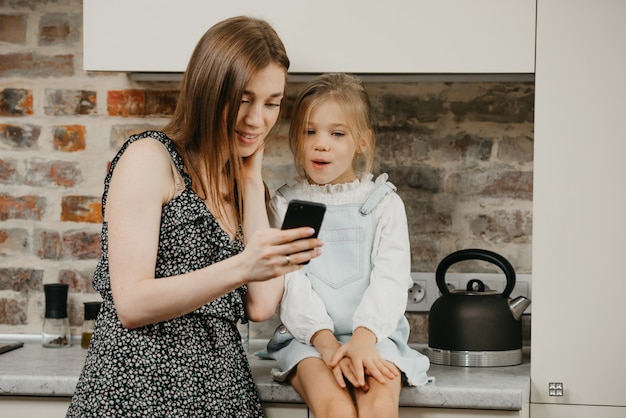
(475, 326)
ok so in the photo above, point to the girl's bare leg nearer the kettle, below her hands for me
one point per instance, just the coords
(381, 400)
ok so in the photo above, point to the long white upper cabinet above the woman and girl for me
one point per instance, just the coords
(359, 36)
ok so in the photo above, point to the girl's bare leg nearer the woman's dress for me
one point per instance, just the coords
(316, 384)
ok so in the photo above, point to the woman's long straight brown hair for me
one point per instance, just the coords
(203, 124)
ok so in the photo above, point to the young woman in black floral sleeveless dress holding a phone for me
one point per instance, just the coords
(186, 246)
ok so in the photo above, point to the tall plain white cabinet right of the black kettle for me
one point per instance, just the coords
(579, 221)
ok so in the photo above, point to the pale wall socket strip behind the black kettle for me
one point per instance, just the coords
(425, 290)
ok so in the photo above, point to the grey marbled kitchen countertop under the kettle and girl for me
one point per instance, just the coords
(36, 371)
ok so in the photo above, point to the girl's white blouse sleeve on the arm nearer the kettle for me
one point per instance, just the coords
(384, 301)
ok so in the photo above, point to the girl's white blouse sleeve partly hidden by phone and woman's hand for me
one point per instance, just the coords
(301, 309)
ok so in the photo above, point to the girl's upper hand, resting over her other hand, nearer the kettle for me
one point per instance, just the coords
(364, 358)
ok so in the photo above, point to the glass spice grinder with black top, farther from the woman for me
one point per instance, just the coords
(56, 325)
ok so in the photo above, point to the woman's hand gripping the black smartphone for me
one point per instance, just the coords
(274, 252)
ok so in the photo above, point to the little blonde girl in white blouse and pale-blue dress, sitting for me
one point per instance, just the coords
(343, 342)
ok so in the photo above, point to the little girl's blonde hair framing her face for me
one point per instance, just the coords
(350, 95)
